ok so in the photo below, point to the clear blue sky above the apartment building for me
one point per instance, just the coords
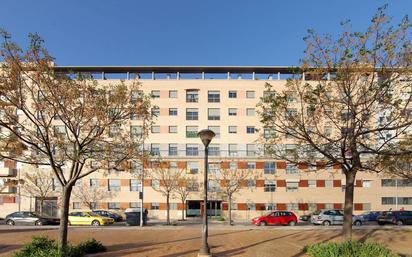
(183, 32)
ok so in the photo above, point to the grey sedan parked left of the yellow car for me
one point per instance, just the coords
(30, 218)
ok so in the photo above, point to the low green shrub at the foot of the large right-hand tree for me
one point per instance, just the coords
(348, 249)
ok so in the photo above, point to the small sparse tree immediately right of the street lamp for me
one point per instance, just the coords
(232, 180)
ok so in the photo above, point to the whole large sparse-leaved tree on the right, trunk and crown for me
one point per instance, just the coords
(349, 103)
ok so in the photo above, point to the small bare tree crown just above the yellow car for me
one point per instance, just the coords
(89, 195)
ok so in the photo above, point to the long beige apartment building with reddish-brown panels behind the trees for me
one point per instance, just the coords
(223, 99)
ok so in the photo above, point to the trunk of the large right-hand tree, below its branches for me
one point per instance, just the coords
(348, 209)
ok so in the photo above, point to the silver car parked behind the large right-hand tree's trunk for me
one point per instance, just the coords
(333, 217)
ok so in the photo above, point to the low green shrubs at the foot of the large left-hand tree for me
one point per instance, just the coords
(45, 247)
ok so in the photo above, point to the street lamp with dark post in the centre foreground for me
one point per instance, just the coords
(206, 135)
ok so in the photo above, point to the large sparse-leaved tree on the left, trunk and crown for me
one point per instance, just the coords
(52, 119)
